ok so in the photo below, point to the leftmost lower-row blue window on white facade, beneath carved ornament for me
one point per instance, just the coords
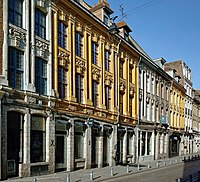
(15, 68)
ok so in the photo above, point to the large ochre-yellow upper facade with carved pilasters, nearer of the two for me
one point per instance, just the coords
(91, 31)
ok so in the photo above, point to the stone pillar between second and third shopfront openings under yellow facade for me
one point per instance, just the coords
(88, 149)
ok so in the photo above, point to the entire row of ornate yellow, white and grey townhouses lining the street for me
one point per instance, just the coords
(77, 91)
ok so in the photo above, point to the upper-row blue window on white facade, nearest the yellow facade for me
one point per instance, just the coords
(40, 23)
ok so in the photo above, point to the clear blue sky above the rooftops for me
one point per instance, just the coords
(164, 28)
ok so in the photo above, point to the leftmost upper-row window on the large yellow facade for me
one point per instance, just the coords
(62, 35)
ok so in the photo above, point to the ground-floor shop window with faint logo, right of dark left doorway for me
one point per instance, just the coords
(38, 139)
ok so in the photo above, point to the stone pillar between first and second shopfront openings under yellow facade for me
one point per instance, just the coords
(70, 148)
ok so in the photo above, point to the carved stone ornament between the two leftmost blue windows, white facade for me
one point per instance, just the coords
(17, 37)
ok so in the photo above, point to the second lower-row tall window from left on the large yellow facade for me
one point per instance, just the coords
(79, 88)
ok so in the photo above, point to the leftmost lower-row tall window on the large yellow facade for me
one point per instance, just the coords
(62, 82)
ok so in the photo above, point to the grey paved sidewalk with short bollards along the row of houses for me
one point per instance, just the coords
(101, 174)
